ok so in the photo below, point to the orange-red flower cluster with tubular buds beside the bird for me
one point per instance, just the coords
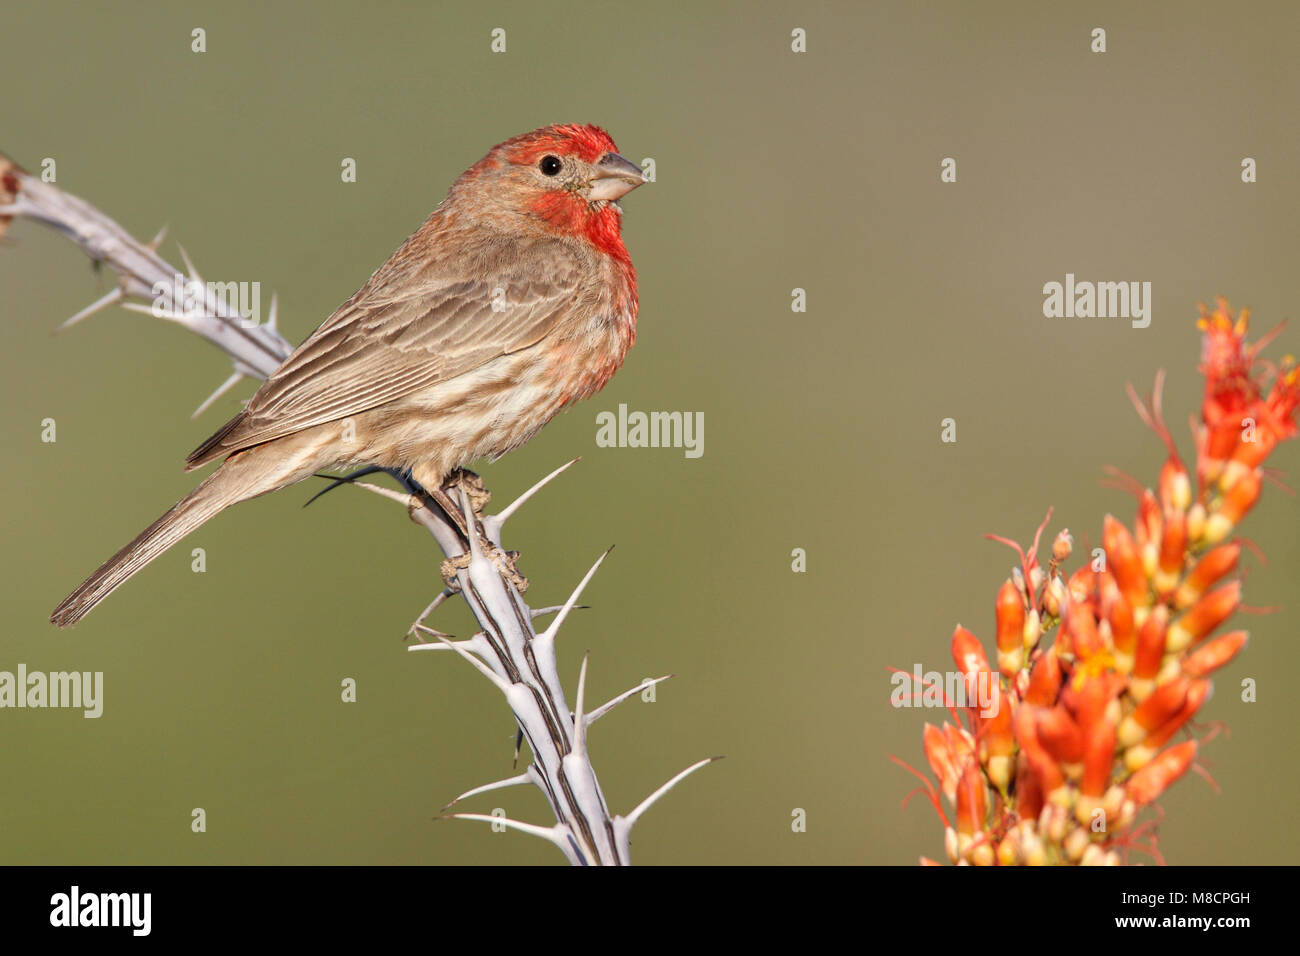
(1080, 736)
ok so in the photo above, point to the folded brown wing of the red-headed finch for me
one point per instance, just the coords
(402, 332)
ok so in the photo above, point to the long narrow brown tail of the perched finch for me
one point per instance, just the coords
(241, 478)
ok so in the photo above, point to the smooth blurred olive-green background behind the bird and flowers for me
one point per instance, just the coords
(775, 171)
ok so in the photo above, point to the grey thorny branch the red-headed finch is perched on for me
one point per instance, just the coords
(508, 651)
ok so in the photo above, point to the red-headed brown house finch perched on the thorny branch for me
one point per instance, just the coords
(514, 300)
